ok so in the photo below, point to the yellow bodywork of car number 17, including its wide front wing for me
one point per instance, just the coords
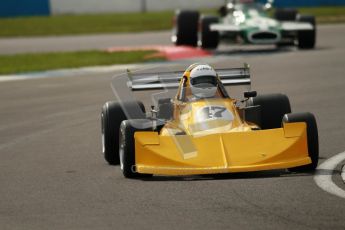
(210, 136)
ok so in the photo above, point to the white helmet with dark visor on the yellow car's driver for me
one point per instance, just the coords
(203, 81)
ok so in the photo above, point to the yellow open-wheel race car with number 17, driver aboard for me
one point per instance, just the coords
(202, 130)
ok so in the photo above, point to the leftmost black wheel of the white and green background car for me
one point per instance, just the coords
(187, 28)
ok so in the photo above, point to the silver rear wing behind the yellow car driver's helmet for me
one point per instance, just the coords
(146, 81)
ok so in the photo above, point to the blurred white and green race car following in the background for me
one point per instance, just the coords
(245, 22)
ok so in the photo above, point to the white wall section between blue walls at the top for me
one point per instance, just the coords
(103, 6)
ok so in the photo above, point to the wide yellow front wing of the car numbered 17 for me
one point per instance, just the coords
(222, 153)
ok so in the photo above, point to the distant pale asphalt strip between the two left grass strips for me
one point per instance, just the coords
(81, 42)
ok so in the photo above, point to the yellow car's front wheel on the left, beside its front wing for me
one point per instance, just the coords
(127, 145)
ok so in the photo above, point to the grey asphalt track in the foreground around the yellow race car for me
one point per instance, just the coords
(53, 175)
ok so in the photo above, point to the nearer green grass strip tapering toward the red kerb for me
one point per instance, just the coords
(19, 63)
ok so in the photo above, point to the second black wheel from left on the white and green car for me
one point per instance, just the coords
(209, 39)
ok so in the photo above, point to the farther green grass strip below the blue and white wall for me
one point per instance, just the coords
(119, 23)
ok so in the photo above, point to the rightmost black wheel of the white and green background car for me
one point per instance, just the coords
(307, 38)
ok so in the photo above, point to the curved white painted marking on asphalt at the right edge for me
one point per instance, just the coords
(323, 177)
